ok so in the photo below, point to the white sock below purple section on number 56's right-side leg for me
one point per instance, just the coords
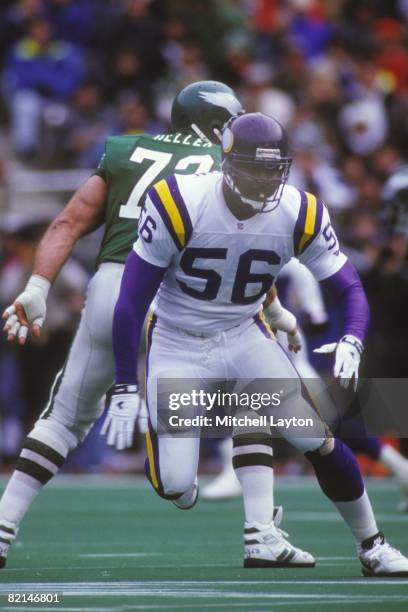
(359, 516)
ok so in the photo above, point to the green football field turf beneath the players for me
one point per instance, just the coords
(109, 544)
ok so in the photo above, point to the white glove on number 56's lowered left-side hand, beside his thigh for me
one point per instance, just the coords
(125, 407)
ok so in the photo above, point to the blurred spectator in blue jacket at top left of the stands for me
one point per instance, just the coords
(39, 70)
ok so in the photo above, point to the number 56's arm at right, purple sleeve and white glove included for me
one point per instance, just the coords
(322, 255)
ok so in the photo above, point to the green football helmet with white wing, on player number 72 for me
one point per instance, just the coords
(203, 108)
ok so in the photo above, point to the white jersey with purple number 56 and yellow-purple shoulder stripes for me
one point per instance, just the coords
(220, 268)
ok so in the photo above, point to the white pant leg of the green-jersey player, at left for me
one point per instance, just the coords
(75, 399)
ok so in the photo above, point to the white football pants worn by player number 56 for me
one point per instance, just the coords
(245, 352)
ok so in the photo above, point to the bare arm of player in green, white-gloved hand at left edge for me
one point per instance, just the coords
(83, 213)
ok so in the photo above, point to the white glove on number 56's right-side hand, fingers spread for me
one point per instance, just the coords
(347, 358)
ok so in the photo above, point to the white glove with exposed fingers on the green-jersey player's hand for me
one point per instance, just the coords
(28, 310)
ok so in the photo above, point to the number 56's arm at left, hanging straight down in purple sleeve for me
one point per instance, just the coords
(144, 271)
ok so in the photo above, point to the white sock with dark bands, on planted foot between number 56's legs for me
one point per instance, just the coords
(253, 467)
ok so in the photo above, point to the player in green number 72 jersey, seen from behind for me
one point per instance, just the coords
(112, 196)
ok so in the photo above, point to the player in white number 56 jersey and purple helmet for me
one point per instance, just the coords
(209, 248)
